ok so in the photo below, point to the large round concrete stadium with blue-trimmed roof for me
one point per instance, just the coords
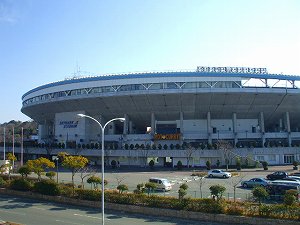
(172, 116)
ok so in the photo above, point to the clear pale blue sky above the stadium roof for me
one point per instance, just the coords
(50, 40)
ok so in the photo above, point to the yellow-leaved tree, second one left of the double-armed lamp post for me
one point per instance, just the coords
(39, 165)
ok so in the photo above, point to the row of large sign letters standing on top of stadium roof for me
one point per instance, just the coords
(205, 69)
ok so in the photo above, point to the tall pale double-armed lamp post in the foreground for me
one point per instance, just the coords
(102, 152)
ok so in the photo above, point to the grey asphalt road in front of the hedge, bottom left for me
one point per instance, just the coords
(33, 212)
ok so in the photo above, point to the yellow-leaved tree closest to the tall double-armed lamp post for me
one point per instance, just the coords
(75, 163)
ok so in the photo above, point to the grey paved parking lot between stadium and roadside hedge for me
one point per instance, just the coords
(134, 176)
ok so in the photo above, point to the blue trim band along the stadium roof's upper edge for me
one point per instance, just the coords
(165, 74)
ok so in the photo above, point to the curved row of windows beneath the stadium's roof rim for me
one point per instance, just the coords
(134, 87)
